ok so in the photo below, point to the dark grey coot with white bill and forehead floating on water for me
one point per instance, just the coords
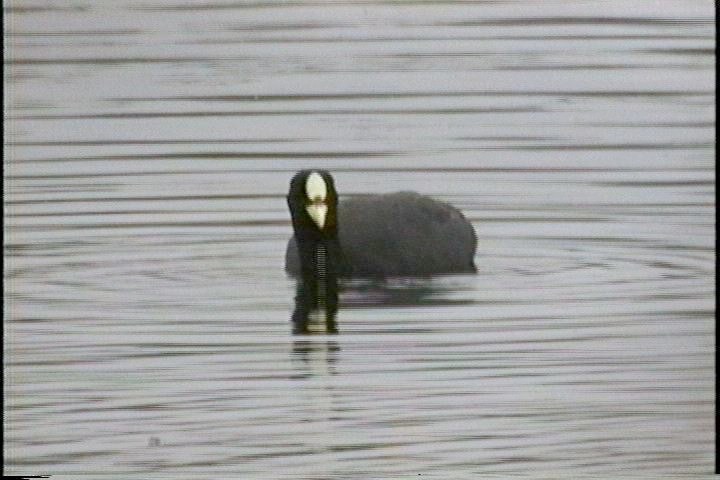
(397, 234)
